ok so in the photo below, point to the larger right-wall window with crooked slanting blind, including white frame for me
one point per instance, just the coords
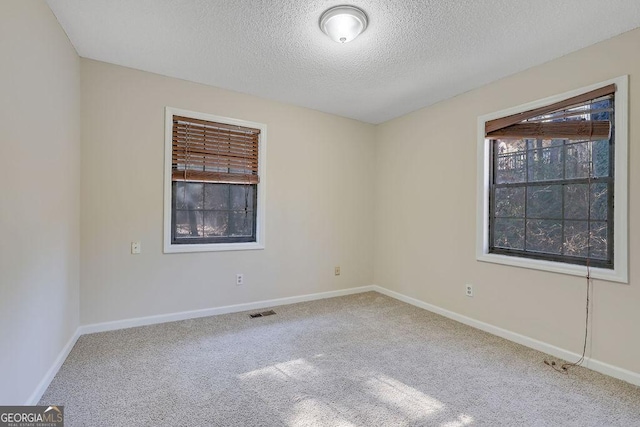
(553, 182)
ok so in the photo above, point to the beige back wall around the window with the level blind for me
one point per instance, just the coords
(318, 210)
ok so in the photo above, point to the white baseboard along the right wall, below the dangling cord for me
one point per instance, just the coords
(560, 353)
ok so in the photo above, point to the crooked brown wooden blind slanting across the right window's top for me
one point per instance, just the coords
(516, 126)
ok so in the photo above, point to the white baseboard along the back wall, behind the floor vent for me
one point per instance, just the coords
(193, 314)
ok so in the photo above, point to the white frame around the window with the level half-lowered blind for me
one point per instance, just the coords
(169, 247)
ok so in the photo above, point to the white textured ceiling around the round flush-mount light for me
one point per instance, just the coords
(413, 54)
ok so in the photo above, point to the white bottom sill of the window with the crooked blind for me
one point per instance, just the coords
(555, 267)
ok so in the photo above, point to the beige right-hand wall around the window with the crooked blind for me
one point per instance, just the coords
(426, 213)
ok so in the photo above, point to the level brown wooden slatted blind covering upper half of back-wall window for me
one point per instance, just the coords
(206, 151)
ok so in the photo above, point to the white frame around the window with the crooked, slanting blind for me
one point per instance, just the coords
(620, 273)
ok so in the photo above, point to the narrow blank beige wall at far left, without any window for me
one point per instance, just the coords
(39, 175)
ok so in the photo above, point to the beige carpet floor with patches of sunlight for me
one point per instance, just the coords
(359, 360)
